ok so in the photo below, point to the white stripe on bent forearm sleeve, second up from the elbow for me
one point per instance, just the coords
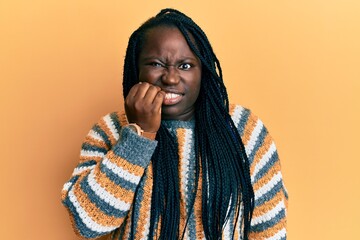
(105, 195)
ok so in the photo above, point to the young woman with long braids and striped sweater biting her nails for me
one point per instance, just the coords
(179, 162)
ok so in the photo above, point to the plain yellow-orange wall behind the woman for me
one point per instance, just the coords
(296, 64)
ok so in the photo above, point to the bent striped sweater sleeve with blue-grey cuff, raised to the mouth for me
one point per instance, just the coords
(101, 190)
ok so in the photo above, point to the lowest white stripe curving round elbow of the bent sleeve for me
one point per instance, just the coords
(85, 218)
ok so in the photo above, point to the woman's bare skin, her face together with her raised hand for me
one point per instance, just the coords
(169, 80)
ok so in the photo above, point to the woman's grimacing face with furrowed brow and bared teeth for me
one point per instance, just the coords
(167, 61)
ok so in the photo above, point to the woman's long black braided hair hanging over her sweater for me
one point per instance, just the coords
(219, 152)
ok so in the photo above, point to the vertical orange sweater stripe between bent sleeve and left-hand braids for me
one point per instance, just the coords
(145, 204)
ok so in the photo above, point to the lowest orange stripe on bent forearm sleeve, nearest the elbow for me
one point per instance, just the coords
(92, 210)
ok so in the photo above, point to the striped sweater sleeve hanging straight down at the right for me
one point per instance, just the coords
(269, 216)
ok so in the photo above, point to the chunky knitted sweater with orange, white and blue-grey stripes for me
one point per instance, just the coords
(115, 163)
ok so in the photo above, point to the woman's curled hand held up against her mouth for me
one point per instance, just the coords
(143, 106)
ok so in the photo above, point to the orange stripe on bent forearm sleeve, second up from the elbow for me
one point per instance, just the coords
(114, 189)
